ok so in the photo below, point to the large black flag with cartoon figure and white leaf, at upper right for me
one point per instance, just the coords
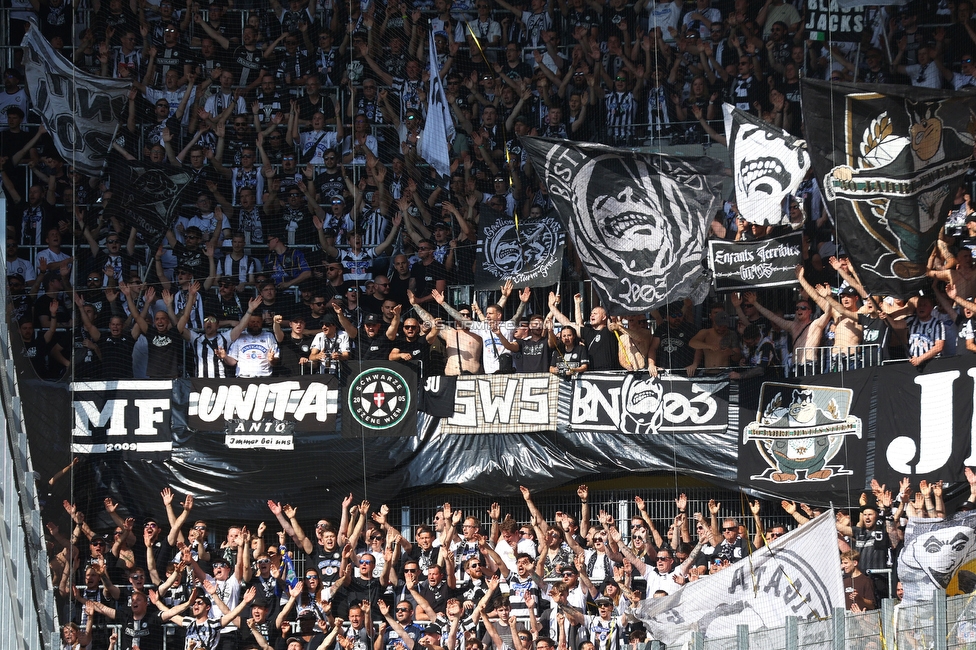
(889, 161)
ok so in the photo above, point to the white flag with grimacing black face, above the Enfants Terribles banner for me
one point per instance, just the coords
(768, 163)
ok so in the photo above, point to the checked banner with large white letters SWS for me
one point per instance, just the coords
(503, 404)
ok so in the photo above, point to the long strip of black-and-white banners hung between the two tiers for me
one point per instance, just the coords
(237, 443)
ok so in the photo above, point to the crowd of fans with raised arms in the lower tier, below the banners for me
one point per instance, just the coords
(356, 582)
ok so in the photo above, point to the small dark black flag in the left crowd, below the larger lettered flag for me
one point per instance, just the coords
(146, 196)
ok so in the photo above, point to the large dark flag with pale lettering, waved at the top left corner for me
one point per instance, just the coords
(79, 111)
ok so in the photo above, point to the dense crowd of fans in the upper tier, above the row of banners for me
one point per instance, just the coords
(313, 229)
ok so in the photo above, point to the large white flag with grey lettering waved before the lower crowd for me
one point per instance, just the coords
(799, 575)
